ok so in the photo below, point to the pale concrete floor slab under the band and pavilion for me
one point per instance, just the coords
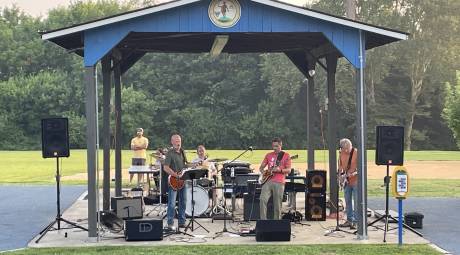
(308, 232)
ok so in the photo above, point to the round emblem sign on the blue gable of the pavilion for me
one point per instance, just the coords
(224, 13)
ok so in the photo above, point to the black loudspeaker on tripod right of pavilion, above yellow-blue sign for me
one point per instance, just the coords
(390, 145)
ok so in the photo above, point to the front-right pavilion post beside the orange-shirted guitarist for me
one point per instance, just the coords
(361, 143)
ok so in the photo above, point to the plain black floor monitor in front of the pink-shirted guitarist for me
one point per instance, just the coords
(273, 230)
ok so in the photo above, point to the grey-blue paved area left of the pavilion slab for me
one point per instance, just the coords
(27, 209)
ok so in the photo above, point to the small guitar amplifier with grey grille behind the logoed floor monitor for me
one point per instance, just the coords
(127, 207)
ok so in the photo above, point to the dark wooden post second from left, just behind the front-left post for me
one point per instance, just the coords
(107, 87)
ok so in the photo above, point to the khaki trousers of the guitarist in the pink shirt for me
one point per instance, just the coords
(276, 190)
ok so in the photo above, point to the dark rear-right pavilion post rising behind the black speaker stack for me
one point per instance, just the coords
(311, 114)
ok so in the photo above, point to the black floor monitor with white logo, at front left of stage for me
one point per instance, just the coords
(144, 230)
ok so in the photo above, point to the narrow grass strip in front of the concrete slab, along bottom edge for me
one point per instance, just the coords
(240, 249)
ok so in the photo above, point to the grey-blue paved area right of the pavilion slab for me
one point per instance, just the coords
(441, 224)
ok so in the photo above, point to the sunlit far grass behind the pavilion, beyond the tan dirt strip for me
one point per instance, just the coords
(30, 167)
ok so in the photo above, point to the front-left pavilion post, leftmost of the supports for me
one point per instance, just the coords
(91, 136)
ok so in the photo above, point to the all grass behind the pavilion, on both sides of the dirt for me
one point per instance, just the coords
(28, 167)
